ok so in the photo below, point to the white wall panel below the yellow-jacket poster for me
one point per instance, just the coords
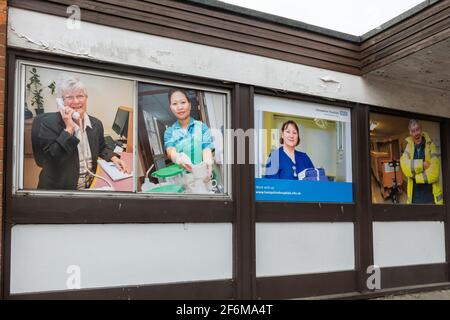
(408, 243)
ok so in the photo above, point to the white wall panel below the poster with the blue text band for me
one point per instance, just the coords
(301, 248)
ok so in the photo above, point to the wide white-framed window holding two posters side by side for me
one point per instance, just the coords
(86, 132)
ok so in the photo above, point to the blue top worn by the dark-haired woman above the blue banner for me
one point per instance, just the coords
(280, 166)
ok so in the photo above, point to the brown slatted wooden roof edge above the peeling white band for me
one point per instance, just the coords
(205, 25)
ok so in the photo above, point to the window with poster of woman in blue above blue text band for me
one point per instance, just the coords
(303, 151)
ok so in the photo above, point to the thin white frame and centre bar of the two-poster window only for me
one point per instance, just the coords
(18, 164)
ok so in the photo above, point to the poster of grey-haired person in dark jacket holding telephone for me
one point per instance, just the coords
(75, 137)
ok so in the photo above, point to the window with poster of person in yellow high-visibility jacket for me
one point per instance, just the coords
(405, 160)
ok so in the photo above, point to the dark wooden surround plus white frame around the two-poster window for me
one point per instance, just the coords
(32, 206)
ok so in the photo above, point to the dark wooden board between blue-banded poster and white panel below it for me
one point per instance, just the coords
(304, 212)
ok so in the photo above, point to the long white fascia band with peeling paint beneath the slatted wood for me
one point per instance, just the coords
(115, 45)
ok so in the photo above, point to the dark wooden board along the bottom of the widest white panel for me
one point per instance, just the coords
(202, 290)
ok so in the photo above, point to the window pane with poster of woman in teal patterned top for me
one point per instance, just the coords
(181, 145)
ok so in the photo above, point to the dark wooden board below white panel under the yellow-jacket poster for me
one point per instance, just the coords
(394, 277)
